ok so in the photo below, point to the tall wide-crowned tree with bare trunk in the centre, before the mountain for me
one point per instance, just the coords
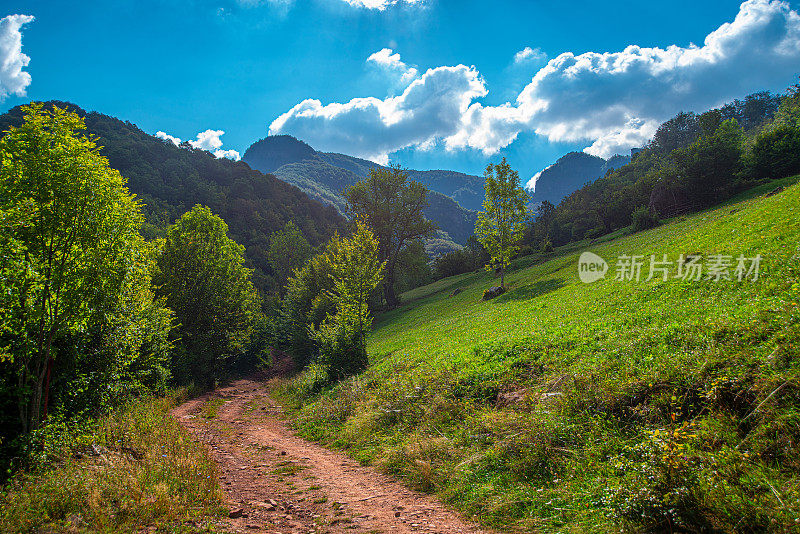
(392, 207)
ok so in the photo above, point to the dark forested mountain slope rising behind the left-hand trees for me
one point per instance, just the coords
(170, 180)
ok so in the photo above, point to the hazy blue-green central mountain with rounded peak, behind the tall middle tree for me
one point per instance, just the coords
(324, 176)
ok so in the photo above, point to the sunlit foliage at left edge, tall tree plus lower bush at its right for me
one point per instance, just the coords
(76, 263)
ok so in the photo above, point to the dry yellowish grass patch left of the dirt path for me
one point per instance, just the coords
(134, 469)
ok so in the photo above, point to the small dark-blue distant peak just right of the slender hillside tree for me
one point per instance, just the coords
(571, 172)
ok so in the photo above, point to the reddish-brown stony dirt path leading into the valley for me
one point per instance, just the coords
(277, 482)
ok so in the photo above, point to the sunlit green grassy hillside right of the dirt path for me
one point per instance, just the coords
(619, 405)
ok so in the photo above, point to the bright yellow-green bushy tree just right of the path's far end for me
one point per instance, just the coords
(355, 271)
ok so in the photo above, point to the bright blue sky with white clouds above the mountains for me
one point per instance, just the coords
(436, 83)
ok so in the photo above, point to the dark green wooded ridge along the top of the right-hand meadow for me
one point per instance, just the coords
(692, 162)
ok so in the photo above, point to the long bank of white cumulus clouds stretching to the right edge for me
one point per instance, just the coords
(612, 101)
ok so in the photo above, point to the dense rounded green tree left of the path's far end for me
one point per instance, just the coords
(201, 274)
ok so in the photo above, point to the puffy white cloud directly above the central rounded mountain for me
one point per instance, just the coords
(430, 108)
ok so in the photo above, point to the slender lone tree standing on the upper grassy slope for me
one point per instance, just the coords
(501, 224)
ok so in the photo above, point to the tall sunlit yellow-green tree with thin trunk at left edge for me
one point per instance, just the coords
(71, 227)
